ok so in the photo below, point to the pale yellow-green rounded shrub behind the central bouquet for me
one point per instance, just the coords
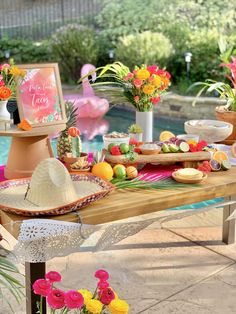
(144, 48)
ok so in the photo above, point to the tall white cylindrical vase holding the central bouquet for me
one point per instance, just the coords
(145, 120)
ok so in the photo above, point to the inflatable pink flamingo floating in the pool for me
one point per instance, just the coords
(89, 105)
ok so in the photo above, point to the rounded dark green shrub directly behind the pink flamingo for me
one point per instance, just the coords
(72, 46)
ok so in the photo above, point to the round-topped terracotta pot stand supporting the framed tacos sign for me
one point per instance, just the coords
(27, 149)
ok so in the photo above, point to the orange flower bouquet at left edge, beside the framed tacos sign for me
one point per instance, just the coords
(9, 74)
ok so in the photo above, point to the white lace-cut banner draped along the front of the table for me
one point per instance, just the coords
(42, 239)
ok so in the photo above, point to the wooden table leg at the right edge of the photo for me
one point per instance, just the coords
(228, 234)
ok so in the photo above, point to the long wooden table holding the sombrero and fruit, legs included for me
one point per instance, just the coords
(124, 204)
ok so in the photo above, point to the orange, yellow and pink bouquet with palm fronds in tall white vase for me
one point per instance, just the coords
(142, 87)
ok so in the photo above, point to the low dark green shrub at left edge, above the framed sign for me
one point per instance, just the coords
(24, 51)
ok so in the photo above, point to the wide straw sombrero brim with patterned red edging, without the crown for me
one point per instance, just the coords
(89, 188)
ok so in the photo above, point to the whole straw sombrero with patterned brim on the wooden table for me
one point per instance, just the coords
(51, 190)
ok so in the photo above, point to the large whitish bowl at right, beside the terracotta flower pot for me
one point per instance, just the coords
(210, 131)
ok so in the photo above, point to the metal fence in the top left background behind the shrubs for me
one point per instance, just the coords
(37, 19)
